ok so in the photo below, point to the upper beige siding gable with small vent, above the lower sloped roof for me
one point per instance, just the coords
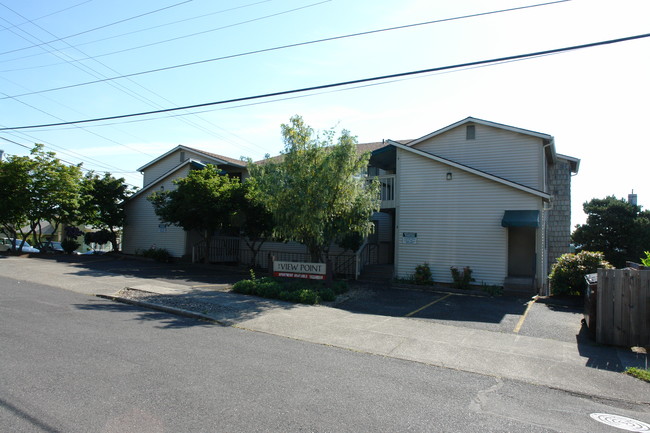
(513, 156)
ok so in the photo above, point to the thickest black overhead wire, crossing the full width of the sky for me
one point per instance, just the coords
(342, 83)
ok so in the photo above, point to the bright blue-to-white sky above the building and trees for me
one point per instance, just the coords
(593, 101)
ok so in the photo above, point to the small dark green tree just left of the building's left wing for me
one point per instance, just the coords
(103, 203)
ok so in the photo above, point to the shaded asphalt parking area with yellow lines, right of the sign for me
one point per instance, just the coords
(557, 320)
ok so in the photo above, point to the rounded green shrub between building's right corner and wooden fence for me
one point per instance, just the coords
(567, 275)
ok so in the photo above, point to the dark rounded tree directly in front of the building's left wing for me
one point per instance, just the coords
(202, 201)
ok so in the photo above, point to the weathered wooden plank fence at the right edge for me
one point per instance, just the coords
(623, 307)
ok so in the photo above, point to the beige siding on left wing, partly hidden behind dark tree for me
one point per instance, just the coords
(143, 226)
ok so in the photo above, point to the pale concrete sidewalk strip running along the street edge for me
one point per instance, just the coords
(555, 364)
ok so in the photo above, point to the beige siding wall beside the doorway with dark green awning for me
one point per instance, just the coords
(458, 221)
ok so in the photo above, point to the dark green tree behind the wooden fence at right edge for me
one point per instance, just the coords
(617, 228)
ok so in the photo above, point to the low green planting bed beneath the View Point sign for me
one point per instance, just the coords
(298, 291)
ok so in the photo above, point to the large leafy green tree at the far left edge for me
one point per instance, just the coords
(38, 188)
